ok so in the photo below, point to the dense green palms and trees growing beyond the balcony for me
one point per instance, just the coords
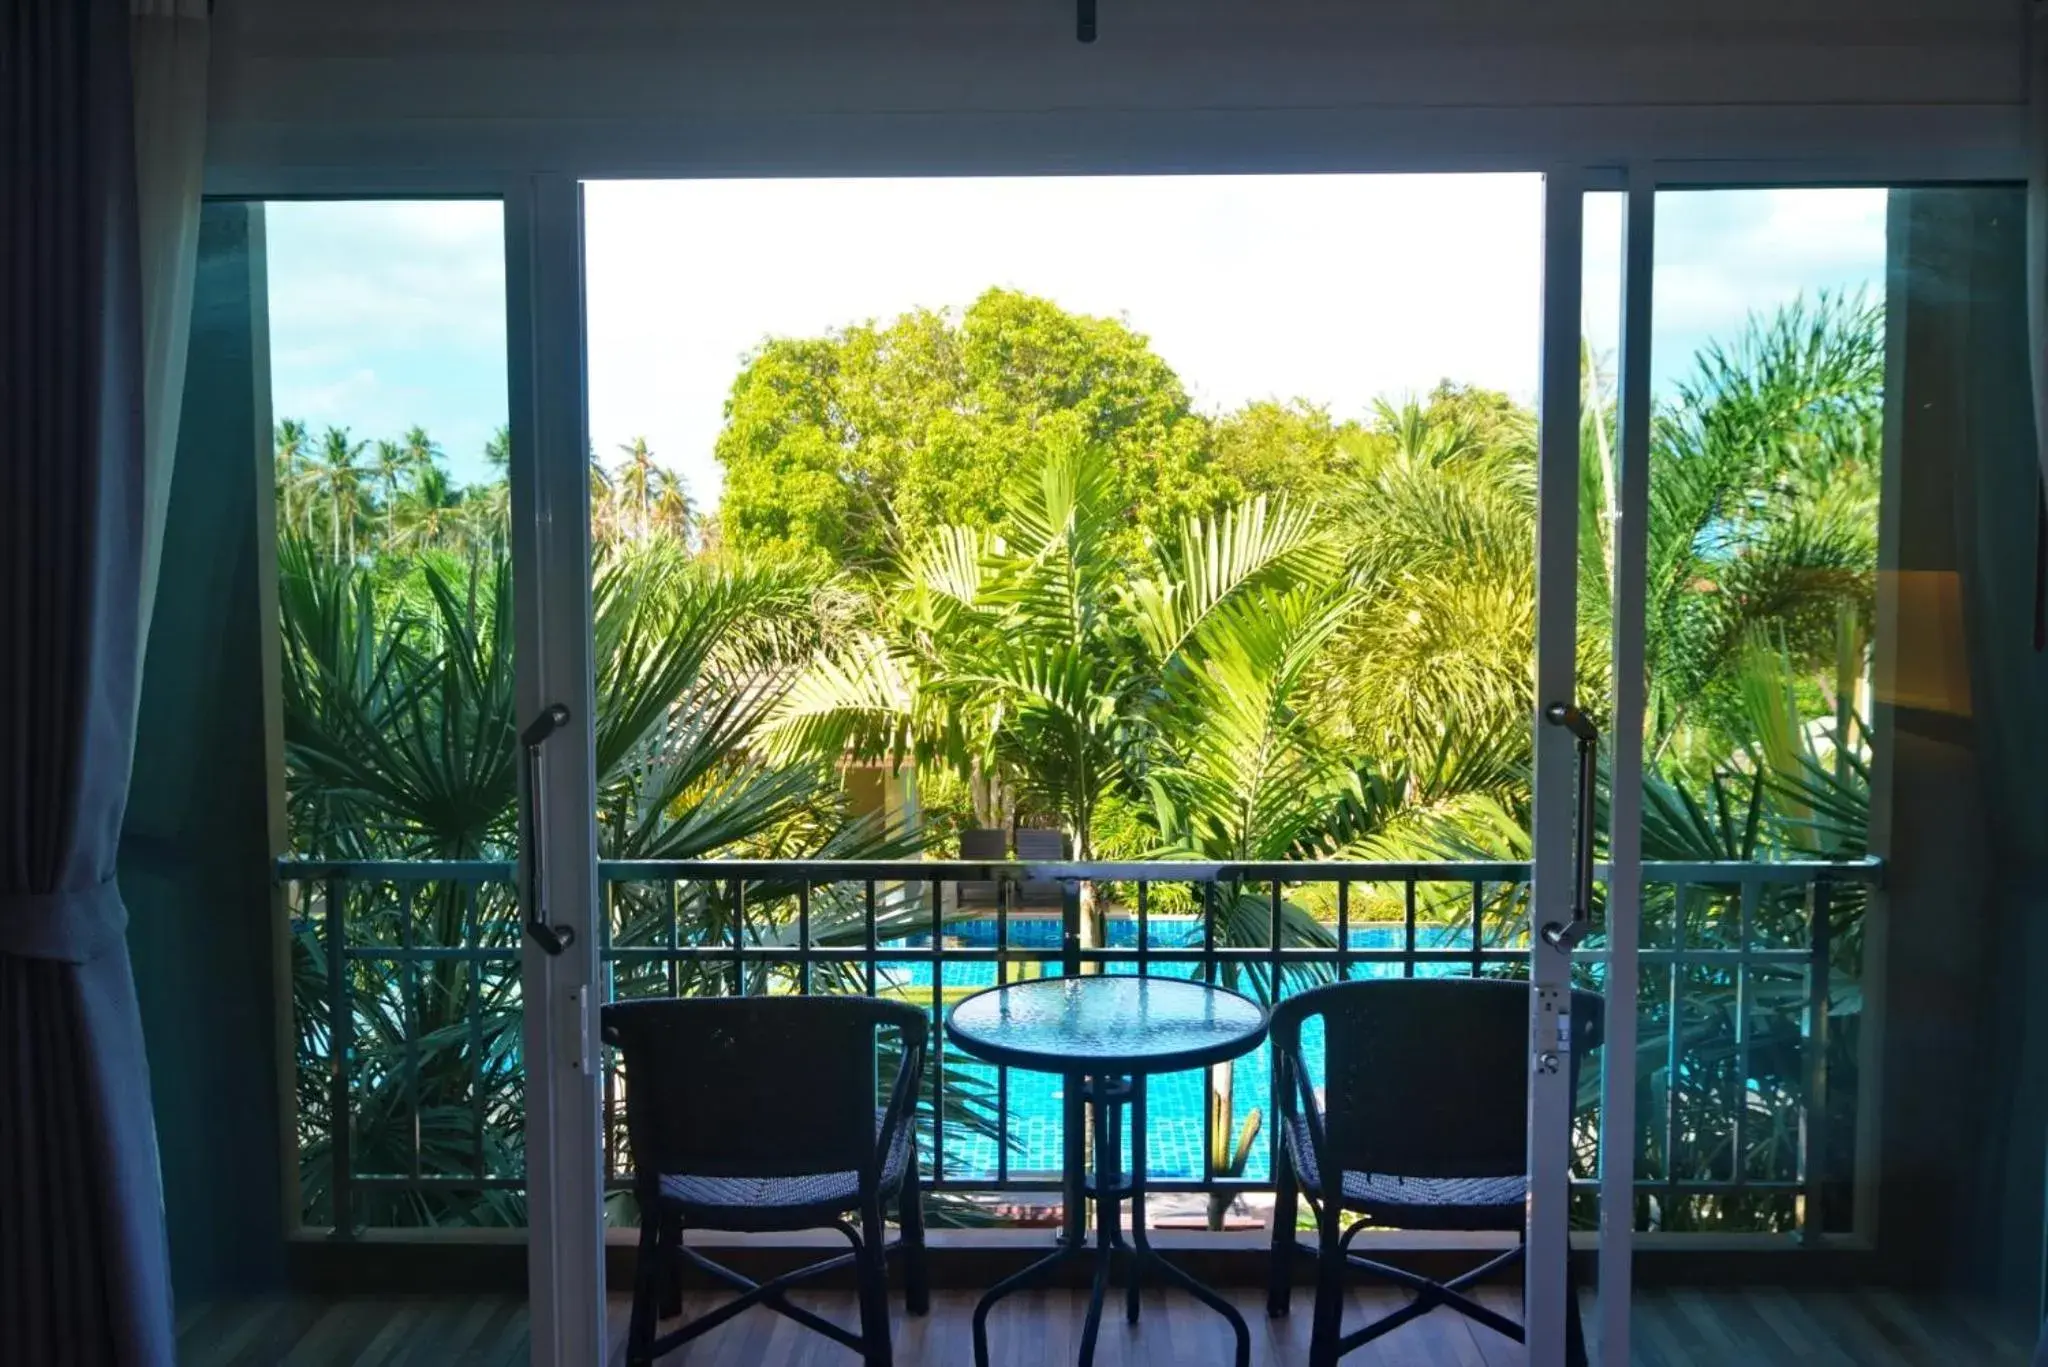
(1005, 550)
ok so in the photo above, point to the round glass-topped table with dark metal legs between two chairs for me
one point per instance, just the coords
(1107, 1036)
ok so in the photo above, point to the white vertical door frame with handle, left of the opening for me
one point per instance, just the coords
(554, 663)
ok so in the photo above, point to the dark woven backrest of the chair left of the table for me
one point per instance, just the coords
(755, 1087)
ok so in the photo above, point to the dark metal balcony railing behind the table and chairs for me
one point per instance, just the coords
(409, 1011)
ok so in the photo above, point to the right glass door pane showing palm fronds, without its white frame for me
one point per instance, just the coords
(1768, 376)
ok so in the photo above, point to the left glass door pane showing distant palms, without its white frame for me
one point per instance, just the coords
(386, 362)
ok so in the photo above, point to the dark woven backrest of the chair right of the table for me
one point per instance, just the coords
(1428, 1077)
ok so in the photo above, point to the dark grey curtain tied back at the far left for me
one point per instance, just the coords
(83, 1257)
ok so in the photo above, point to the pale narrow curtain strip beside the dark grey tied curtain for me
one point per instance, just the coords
(171, 142)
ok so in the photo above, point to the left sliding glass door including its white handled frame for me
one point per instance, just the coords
(419, 368)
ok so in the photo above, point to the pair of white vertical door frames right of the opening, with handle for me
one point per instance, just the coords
(1551, 1100)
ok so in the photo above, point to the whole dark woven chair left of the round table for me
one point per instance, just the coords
(757, 1116)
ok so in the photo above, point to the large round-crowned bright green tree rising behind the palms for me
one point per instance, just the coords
(859, 444)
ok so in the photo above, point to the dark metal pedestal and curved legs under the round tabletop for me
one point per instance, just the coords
(1109, 1188)
